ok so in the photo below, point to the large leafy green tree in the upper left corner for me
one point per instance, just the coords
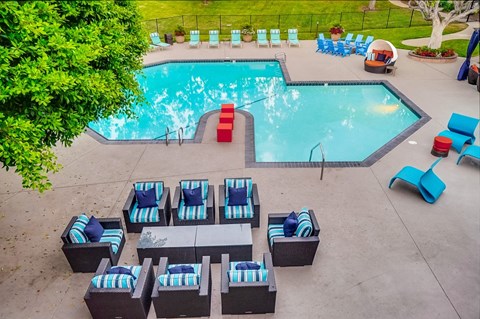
(62, 65)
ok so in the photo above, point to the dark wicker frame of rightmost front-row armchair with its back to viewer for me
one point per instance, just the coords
(248, 297)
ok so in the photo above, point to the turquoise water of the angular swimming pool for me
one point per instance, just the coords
(351, 121)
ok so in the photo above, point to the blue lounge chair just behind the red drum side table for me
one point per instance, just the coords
(461, 130)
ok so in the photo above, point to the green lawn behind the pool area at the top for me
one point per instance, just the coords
(309, 17)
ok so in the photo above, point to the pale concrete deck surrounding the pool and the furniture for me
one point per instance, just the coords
(384, 253)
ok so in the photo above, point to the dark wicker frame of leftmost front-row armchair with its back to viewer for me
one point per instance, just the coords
(108, 303)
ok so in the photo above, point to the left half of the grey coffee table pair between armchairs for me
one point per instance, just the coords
(175, 242)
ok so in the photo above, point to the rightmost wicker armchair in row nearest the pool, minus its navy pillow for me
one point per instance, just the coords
(252, 207)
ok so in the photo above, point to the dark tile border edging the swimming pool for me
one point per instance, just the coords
(249, 122)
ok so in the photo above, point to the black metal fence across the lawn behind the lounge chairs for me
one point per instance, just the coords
(305, 23)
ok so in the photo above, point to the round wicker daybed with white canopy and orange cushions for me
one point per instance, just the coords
(386, 50)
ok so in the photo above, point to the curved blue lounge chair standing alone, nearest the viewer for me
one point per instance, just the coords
(429, 184)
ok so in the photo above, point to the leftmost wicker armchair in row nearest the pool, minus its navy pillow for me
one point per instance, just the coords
(131, 212)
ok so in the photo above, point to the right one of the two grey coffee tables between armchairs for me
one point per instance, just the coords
(215, 240)
